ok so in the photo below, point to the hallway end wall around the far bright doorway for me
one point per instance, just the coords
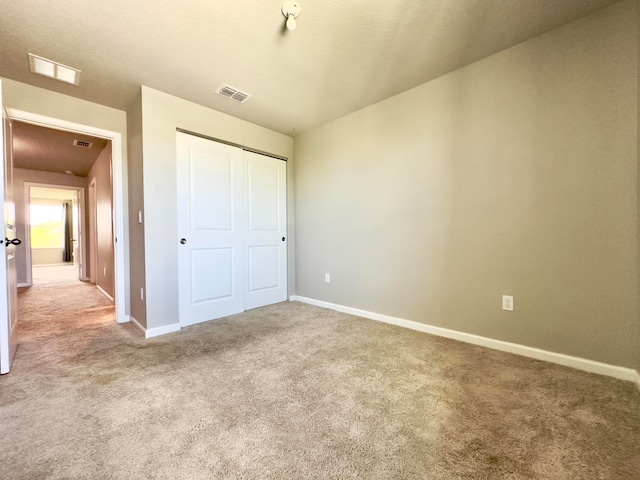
(20, 176)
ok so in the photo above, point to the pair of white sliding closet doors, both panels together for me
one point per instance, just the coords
(231, 229)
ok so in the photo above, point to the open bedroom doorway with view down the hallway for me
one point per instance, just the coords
(58, 246)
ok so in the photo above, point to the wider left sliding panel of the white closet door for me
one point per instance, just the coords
(211, 225)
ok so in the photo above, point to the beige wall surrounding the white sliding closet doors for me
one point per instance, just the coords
(161, 115)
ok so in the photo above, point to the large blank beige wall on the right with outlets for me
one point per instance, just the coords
(515, 175)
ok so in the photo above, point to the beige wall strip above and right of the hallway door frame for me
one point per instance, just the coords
(36, 100)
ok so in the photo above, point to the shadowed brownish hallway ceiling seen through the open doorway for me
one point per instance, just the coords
(40, 148)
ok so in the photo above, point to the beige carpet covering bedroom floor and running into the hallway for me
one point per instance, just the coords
(293, 391)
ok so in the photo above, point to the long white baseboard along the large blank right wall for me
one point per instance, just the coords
(591, 366)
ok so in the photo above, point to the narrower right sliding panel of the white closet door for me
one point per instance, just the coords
(266, 230)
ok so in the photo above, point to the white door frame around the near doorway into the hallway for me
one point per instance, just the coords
(117, 166)
